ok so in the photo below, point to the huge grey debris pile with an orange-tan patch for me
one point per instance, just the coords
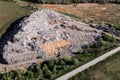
(45, 34)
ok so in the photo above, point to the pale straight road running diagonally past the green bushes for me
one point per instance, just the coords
(89, 64)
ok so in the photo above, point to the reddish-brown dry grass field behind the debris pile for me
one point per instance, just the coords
(102, 13)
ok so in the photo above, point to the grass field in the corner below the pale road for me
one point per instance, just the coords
(106, 70)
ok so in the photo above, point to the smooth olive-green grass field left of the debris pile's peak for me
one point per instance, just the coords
(10, 12)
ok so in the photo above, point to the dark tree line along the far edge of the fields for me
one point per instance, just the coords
(73, 1)
